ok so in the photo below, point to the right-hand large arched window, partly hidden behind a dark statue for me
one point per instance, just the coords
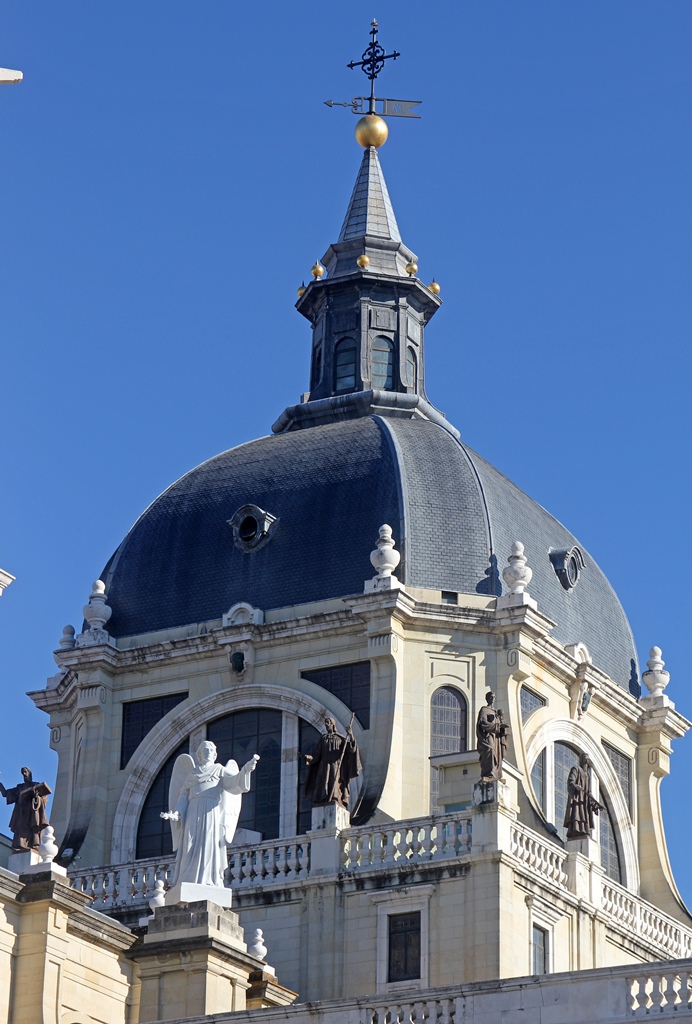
(550, 776)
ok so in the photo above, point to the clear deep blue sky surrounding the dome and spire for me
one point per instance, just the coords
(169, 176)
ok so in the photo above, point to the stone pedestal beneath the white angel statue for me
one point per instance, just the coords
(193, 962)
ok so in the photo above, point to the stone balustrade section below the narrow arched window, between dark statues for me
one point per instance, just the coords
(402, 843)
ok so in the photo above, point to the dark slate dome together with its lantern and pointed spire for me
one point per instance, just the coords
(292, 519)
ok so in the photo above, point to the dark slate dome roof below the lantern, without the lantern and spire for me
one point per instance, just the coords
(331, 488)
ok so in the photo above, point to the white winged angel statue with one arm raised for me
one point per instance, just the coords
(205, 798)
